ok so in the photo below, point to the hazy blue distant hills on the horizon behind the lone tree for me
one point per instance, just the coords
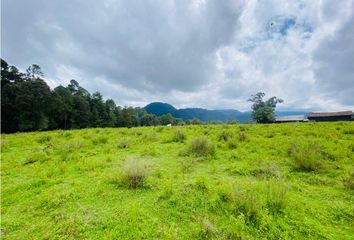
(205, 115)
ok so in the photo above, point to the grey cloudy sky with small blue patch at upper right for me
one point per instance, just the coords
(190, 53)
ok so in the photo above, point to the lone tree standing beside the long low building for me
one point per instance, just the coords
(263, 111)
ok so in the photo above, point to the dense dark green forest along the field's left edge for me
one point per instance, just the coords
(28, 104)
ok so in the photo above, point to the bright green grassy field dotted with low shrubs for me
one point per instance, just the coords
(287, 181)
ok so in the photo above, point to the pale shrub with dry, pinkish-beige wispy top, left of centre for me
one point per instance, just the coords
(134, 173)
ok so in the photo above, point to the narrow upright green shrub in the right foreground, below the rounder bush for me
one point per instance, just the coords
(276, 196)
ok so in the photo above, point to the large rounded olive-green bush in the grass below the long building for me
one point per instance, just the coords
(307, 156)
